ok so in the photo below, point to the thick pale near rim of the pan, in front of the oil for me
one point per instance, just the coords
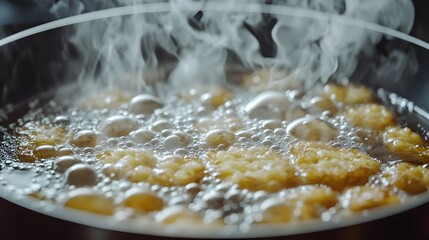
(258, 231)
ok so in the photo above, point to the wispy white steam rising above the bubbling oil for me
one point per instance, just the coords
(128, 51)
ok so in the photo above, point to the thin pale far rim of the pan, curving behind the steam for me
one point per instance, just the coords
(216, 7)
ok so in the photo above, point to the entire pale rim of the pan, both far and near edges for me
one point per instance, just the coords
(263, 231)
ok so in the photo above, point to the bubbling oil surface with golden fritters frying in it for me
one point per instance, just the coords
(218, 157)
